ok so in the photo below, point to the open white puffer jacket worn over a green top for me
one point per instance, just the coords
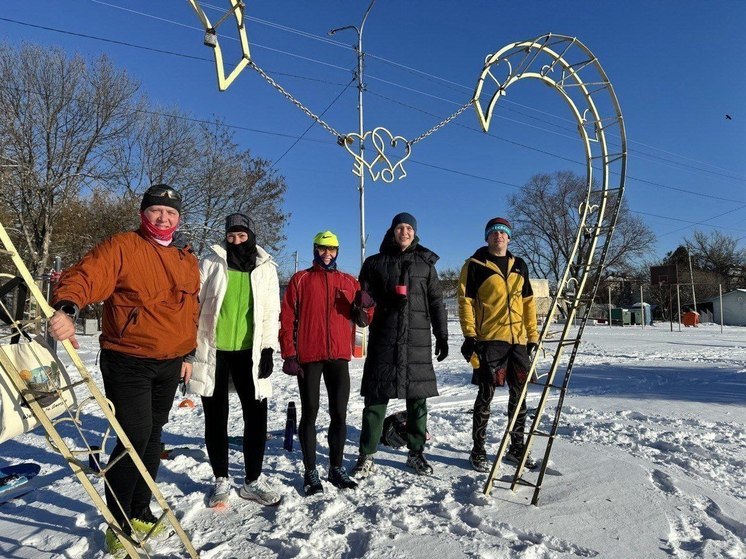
(265, 289)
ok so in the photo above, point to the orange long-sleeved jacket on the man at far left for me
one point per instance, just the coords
(149, 292)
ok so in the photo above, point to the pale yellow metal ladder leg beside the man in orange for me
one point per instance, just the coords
(83, 384)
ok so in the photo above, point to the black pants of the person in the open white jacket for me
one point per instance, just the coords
(237, 365)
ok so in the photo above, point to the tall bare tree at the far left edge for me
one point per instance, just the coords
(58, 118)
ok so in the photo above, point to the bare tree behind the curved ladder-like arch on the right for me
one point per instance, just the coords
(545, 216)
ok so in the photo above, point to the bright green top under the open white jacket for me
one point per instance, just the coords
(235, 327)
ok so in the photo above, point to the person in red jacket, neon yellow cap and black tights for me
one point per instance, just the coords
(316, 329)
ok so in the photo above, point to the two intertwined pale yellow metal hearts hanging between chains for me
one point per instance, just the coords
(381, 138)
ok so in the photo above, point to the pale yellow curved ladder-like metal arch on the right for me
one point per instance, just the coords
(566, 65)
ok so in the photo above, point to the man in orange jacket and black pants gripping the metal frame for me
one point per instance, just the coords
(149, 282)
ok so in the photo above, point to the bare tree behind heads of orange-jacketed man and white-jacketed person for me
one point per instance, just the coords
(214, 175)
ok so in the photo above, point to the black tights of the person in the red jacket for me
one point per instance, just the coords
(337, 380)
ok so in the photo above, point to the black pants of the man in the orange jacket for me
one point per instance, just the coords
(142, 391)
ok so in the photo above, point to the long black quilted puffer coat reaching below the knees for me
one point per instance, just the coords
(400, 357)
